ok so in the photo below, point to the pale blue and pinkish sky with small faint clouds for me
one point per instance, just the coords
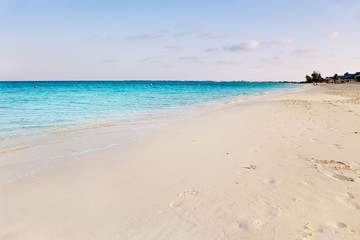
(228, 40)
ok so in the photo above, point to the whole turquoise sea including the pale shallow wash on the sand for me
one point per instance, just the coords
(62, 119)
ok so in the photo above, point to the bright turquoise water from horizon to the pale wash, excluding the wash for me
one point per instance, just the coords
(28, 111)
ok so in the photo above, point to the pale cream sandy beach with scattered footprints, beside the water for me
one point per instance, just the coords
(280, 167)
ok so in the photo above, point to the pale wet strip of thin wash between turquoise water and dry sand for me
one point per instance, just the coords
(67, 143)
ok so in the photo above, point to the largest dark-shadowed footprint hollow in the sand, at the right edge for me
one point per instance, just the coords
(337, 170)
